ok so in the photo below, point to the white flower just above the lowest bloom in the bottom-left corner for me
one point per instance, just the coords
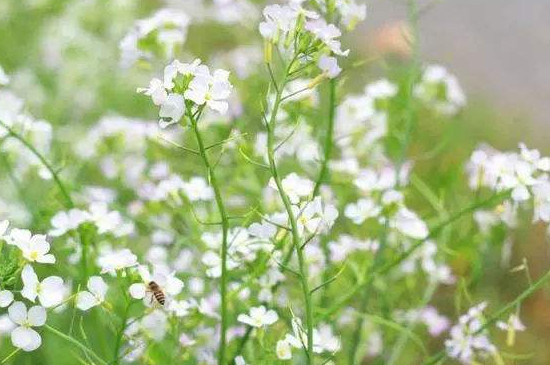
(49, 291)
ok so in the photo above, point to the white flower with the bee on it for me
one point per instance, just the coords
(165, 279)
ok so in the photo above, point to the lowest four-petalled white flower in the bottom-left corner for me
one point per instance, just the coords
(23, 336)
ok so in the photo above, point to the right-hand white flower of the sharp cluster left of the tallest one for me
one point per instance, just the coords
(211, 90)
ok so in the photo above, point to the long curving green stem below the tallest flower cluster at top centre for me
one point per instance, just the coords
(296, 242)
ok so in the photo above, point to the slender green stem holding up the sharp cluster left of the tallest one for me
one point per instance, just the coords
(222, 357)
